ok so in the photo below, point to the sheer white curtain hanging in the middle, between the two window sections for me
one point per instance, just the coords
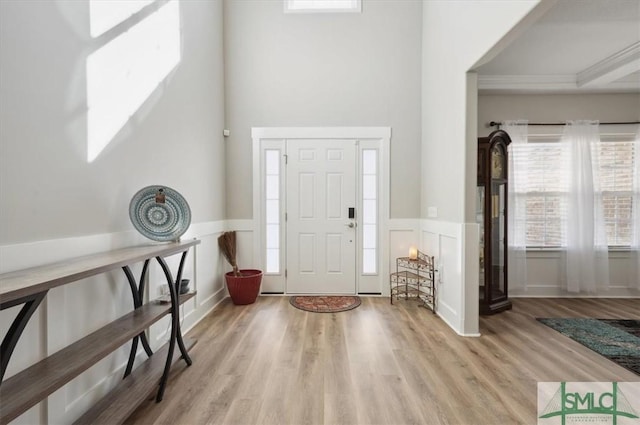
(587, 256)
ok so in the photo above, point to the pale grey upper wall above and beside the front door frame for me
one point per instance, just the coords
(322, 70)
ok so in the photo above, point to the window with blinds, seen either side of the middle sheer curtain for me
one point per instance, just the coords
(543, 168)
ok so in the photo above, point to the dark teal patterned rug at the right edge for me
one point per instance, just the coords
(617, 340)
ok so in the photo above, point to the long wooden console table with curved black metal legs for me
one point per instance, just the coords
(28, 287)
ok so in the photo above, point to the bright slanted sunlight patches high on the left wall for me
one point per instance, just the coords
(123, 73)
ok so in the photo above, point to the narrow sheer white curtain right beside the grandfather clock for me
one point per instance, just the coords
(516, 221)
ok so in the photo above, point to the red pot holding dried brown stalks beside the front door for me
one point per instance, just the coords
(243, 285)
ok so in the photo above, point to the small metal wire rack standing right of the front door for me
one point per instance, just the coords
(415, 278)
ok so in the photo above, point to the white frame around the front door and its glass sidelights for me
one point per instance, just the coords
(274, 138)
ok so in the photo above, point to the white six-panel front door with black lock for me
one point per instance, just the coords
(321, 237)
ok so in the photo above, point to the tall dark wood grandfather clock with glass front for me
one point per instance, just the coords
(491, 214)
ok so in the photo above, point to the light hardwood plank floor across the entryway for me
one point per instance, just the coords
(269, 363)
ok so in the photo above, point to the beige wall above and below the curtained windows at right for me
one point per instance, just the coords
(545, 269)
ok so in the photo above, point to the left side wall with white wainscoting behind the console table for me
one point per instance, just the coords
(56, 205)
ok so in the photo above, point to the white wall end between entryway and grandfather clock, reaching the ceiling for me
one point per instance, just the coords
(456, 35)
